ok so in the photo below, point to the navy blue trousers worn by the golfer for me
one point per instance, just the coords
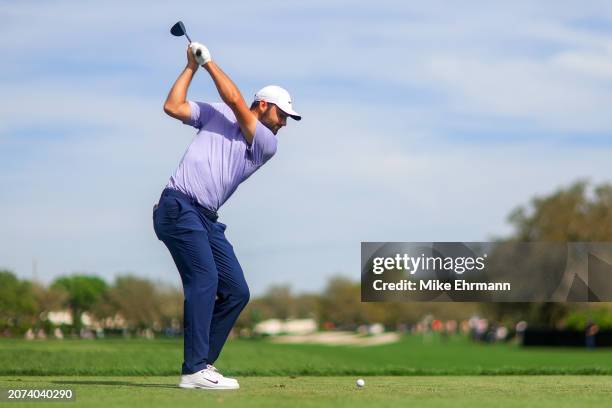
(213, 282)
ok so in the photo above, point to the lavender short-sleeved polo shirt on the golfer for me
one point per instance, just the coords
(219, 157)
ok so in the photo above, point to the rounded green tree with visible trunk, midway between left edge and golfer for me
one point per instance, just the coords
(83, 292)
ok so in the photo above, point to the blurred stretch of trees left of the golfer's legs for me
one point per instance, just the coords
(130, 302)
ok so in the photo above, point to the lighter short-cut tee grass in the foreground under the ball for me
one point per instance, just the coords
(452, 391)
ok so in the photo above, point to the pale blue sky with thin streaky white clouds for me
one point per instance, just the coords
(422, 122)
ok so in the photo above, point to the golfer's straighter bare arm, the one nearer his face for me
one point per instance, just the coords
(230, 94)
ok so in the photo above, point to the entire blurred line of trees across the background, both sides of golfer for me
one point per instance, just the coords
(580, 212)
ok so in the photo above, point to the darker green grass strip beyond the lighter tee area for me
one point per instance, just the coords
(411, 356)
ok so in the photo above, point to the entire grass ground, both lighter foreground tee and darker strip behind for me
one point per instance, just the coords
(418, 371)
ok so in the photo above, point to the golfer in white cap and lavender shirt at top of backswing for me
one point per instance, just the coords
(233, 141)
